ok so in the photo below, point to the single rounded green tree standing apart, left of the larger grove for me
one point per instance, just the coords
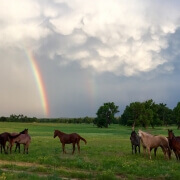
(105, 114)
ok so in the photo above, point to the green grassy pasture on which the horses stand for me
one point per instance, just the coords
(107, 155)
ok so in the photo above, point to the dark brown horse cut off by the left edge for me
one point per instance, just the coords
(4, 137)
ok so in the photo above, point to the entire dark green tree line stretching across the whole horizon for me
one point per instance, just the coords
(147, 113)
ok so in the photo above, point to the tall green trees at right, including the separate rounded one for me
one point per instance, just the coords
(147, 113)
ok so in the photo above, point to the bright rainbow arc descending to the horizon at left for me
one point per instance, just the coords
(39, 81)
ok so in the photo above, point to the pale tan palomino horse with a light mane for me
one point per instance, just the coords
(150, 142)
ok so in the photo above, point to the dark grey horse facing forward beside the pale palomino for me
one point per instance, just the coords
(135, 142)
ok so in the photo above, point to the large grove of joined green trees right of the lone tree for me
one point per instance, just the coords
(148, 113)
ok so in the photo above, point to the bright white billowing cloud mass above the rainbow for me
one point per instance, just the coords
(97, 34)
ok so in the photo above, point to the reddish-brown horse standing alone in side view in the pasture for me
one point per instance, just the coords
(73, 138)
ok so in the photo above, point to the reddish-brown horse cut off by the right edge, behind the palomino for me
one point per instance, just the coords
(174, 143)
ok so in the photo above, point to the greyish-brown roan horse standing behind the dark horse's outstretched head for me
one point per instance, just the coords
(22, 139)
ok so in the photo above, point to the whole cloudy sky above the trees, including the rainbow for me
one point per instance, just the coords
(66, 58)
